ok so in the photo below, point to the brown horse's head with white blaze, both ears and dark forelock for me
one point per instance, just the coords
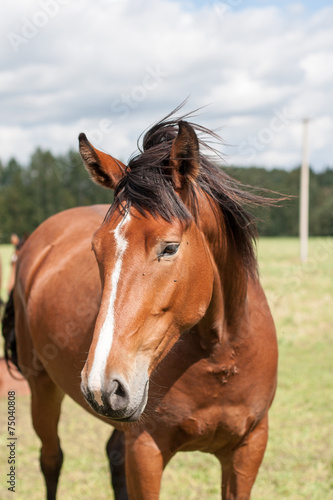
(155, 265)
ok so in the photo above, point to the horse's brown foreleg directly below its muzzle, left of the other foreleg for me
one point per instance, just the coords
(144, 467)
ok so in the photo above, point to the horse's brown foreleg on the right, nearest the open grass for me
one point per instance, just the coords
(239, 470)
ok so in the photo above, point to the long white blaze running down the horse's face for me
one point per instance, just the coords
(105, 337)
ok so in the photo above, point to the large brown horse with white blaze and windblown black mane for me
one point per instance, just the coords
(172, 341)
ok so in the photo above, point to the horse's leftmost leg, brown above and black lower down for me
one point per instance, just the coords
(46, 400)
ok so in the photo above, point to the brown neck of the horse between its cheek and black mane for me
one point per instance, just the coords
(227, 308)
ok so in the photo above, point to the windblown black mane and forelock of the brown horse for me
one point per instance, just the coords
(147, 186)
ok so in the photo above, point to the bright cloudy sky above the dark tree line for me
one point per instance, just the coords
(111, 68)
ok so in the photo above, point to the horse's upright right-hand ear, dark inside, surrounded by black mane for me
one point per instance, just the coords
(184, 157)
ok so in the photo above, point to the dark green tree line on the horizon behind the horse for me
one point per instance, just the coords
(48, 184)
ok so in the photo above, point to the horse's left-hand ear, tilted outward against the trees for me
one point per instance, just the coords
(103, 168)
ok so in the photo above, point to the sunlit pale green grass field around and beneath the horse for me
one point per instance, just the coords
(298, 464)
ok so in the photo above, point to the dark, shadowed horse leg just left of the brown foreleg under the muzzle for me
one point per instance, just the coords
(115, 450)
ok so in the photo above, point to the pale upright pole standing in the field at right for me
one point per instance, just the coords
(304, 194)
